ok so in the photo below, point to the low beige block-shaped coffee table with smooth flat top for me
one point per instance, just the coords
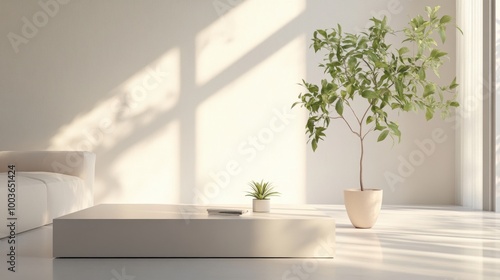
(154, 230)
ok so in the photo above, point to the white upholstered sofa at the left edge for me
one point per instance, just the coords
(49, 184)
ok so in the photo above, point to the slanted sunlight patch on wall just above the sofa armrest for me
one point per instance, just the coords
(137, 101)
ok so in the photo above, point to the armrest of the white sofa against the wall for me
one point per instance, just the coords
(75, 163)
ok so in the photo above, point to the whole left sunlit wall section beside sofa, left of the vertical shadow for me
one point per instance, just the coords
(126, 124)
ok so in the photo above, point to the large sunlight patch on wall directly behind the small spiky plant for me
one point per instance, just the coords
(247, 131)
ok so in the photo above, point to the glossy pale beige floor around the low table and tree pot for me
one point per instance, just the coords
(406, 243)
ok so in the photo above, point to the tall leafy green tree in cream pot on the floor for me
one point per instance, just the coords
(364, 70)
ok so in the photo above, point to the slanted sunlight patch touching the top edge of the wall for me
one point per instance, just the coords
(238, 32)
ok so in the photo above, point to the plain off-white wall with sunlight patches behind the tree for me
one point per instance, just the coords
(187, 101)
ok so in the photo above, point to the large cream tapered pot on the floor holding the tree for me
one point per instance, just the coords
(363, 207)
